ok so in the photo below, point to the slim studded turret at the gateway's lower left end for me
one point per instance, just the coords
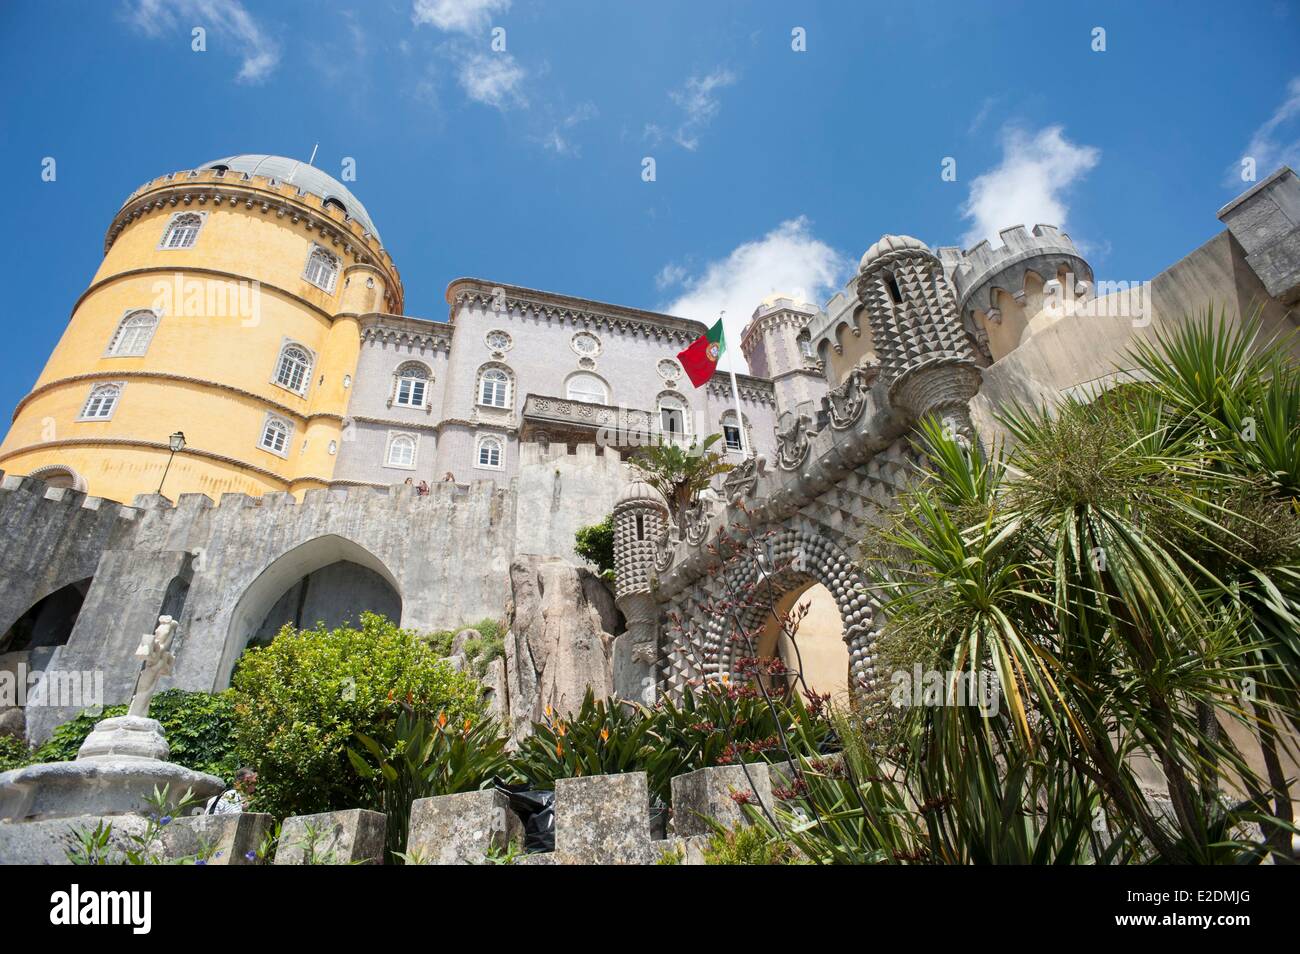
(640, 521)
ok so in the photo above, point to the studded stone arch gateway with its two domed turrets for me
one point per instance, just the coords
(807, 511)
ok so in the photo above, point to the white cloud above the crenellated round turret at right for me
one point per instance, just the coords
(1028, 188)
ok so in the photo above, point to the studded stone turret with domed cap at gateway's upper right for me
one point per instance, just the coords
(926, 357)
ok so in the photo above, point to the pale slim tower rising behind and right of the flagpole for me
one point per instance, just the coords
(777, 346)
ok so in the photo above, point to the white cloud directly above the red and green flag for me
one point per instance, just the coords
(788, 259)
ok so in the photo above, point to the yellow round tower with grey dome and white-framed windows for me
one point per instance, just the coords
(226, 310)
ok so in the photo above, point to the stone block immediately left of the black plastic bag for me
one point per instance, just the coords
(461, 830)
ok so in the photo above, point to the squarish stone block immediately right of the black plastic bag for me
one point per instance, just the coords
(604, 819)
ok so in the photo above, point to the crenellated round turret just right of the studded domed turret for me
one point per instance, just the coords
(1000, 292)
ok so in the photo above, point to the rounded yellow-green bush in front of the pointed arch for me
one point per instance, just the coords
(301, 701)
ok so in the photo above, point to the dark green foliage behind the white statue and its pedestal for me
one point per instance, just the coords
(198, 726)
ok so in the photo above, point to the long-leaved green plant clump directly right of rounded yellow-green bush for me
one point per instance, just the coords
(421, 758)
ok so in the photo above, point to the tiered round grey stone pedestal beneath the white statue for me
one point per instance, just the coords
(118, 769)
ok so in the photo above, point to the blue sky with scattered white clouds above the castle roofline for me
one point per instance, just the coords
(774, 168)
